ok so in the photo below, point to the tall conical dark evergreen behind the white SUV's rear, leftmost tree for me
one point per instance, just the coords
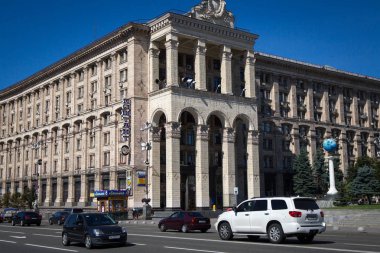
(303, 175)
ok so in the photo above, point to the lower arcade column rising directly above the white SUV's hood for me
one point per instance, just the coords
(229, 168)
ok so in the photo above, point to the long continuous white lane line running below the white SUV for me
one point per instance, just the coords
(258, 243)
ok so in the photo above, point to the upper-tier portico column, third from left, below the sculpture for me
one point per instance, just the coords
(200, 65)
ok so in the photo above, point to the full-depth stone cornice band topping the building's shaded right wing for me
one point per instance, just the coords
(267, 61)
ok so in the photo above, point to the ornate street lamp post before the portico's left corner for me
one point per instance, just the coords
(146, 146)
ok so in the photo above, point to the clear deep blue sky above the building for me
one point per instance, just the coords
(344, 34)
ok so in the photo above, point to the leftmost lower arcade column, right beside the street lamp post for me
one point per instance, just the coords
(155, 168)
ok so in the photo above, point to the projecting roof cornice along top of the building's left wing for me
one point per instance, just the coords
(74, 58)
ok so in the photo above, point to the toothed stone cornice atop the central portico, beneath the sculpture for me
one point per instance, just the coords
(204, 26)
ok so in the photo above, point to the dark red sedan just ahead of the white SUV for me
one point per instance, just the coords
(185, 222)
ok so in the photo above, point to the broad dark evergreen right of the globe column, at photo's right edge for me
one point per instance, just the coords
(365, 183)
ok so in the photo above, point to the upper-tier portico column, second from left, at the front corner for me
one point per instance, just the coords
(171, 45)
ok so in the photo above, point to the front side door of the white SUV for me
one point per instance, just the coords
(241, 219)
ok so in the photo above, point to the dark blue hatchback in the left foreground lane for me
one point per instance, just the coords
(92, 229)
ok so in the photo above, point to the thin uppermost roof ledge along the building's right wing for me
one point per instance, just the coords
(325, 68)
